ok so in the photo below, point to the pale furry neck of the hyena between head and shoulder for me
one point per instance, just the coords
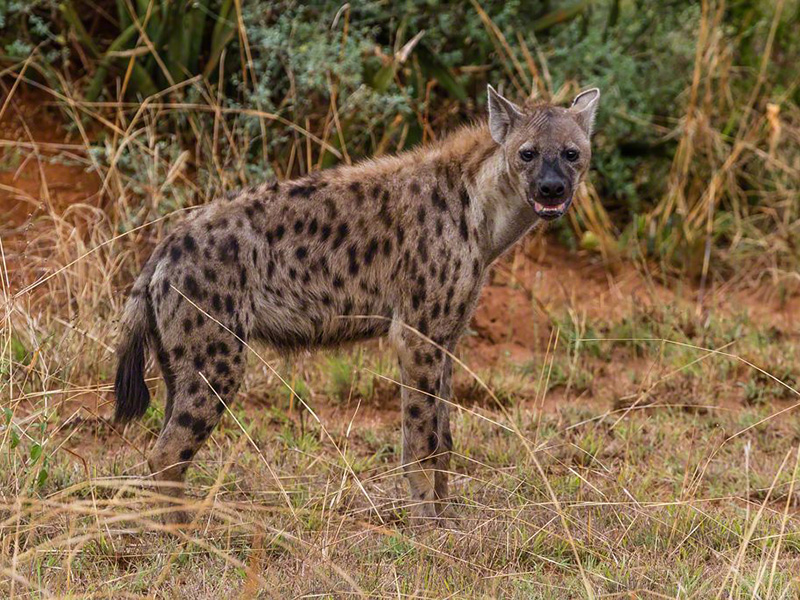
(503, 213)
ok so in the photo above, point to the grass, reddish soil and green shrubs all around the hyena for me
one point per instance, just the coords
(117, 115)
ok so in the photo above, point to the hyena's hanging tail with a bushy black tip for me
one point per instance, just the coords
(132, 395)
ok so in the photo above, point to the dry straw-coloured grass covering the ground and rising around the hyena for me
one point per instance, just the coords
(679, 484)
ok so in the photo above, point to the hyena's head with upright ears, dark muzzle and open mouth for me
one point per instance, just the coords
(547, 148)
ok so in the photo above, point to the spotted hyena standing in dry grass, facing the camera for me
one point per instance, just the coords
(397, 246)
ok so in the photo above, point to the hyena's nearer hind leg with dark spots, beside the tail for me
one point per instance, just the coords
(196, 410)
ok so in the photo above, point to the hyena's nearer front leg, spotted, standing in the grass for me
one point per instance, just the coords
(422, 368)
